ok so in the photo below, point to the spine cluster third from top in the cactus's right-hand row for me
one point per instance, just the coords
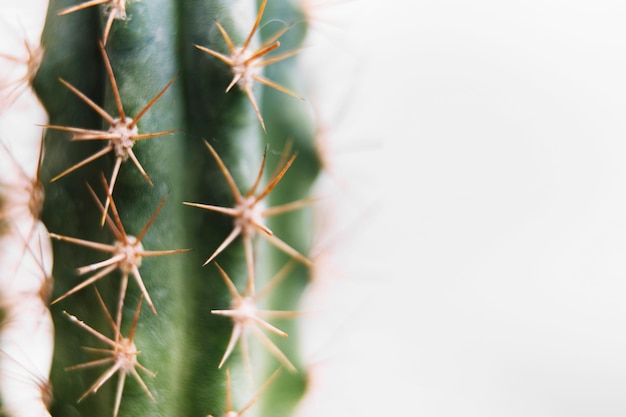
(245, 316)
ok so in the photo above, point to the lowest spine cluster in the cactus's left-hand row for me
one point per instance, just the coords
(123, 355)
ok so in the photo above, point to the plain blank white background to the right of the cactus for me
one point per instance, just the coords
(482, 266)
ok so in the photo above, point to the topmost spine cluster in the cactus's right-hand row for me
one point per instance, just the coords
(244, 63)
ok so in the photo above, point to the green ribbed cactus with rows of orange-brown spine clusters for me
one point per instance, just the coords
(178, 164)
